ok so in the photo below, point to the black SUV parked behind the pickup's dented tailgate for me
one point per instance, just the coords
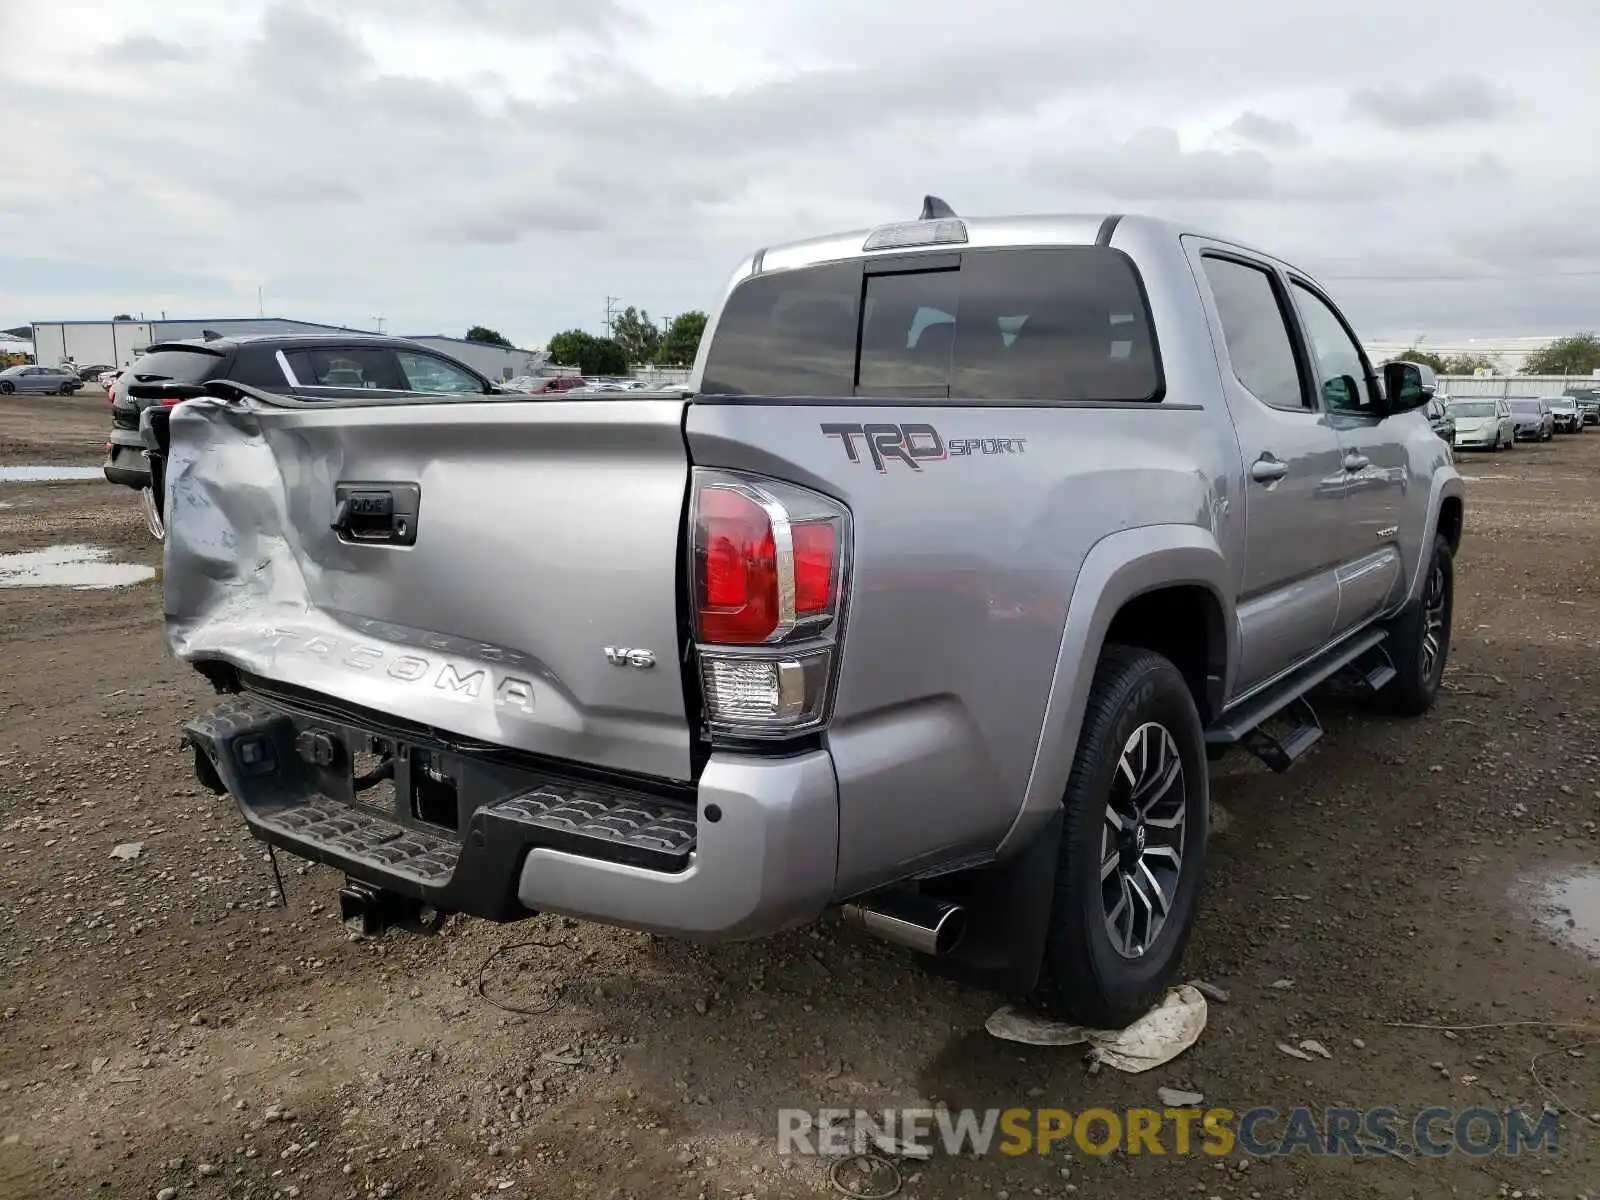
(300, 366)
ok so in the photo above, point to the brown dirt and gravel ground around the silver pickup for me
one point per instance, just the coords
(167, 1025)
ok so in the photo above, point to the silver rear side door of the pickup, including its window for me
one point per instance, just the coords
(1294, 474)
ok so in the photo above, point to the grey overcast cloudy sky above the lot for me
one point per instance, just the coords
(514, 162)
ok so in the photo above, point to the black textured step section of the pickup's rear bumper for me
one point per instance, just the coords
(290, 774)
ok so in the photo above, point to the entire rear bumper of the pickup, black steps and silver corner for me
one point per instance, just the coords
(751, 850)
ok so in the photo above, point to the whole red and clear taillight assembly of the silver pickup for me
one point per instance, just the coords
(770, 569)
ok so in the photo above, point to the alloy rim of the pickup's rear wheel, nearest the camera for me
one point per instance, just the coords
(1143, 839)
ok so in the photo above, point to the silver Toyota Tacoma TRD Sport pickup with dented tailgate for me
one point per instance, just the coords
(932, 596)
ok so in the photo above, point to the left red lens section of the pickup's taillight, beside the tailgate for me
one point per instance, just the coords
(738, 575)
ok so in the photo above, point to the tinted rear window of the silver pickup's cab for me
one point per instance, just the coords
(1055, 324)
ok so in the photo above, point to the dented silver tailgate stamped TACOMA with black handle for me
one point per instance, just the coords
(487, 559)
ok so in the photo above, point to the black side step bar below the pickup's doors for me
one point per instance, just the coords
(1286, 705)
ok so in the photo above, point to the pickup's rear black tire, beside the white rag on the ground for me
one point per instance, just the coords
(1086, 977)
